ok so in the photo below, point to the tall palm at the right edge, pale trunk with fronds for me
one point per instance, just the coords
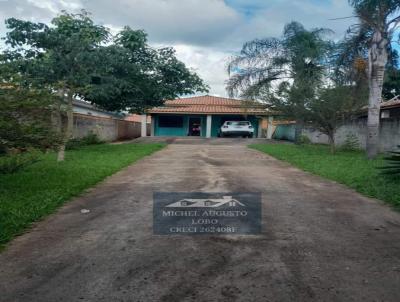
(379, 20)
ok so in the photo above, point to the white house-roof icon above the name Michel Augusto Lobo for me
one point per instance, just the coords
(206, 203)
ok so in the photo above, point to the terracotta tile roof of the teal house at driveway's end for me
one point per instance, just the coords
(210, 105)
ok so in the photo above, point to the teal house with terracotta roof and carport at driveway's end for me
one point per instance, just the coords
(205, 114)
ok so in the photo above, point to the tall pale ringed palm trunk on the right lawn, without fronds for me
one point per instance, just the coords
(378, 57)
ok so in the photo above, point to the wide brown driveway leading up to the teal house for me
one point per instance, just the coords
(320, 241)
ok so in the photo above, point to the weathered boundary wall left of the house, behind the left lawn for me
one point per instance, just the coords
(108, 129)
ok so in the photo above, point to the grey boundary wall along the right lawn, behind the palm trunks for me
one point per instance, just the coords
(389, 133)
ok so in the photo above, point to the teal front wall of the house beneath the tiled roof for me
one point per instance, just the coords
(216, 124)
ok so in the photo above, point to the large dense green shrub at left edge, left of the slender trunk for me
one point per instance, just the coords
(25, 119)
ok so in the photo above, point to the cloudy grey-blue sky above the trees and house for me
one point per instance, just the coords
(205, 33)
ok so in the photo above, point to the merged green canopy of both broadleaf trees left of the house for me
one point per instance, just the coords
(77, 57)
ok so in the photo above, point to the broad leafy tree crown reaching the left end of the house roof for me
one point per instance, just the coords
(134, 76)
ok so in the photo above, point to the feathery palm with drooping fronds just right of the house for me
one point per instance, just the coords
(285, 72)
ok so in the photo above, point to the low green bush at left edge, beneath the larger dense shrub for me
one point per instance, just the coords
(12, 163)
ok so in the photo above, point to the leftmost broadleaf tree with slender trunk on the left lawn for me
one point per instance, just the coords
(58, 56)
